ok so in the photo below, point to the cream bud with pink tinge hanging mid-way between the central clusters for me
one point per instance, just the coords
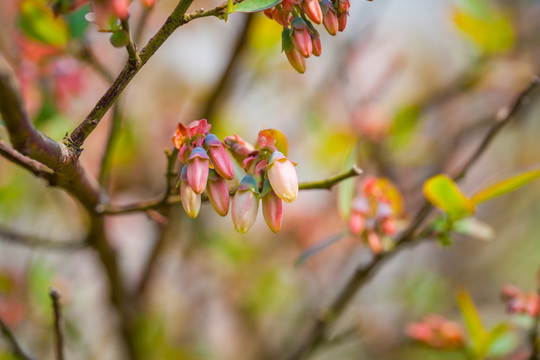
(245, 205)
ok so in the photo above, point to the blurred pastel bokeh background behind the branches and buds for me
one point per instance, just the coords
(406, 92)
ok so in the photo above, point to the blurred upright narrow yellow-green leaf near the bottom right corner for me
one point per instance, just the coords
(478, 335)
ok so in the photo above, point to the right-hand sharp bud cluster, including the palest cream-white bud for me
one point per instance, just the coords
(270, 178)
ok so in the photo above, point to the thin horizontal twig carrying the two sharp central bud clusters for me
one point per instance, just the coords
(159, 201)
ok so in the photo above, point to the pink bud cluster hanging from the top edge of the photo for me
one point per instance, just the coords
(300, 39)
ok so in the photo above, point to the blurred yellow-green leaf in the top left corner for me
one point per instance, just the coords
(38, 22)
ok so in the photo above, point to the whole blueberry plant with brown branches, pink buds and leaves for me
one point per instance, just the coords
(232, 174)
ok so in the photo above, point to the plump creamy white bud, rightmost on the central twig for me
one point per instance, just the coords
(282, 176)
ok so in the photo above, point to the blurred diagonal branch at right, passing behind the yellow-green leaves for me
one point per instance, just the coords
(362, 274)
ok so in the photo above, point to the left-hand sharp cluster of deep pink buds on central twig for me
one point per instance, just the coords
(206, 166)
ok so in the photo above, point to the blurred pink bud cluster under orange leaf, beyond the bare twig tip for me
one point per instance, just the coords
(373, 212)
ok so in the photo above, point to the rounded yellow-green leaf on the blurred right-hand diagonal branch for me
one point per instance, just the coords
(442, 192)
